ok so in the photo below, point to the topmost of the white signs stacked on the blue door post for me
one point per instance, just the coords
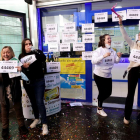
(87, 28)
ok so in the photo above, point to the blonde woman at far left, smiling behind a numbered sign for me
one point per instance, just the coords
(11, 91)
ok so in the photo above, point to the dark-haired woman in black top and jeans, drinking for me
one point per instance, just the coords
(35, 88)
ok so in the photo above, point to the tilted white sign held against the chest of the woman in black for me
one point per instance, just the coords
(28, 59)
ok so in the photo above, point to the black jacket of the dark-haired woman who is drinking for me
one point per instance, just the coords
(35, 70)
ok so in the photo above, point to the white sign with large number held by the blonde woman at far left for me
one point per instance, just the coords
(8, 66)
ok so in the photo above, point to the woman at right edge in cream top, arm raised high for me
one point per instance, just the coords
(133, 73)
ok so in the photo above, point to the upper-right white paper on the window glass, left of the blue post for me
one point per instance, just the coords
(70, 26)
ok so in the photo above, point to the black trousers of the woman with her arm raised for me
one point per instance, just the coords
(133, 76)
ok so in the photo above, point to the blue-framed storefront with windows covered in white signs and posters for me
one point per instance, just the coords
(77, 83)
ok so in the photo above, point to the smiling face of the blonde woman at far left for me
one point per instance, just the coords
(6, 54)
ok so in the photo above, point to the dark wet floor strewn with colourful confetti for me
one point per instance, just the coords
(81, 123)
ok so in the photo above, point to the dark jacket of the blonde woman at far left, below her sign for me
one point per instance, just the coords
(15, 88)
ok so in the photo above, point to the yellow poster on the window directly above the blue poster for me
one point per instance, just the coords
(72, 66)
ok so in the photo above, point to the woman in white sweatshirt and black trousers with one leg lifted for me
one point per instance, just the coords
(104, 58)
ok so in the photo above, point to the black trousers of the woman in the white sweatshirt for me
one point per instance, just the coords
(104, 86)
